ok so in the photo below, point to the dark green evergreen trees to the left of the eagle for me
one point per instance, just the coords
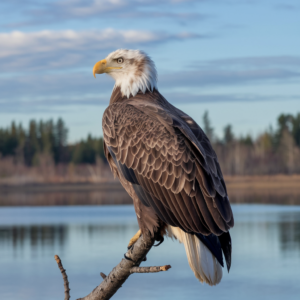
(47, 139)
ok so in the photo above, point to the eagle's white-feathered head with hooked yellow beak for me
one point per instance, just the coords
(133, 71)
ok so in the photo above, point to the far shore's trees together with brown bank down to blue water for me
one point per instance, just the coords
(39, 167)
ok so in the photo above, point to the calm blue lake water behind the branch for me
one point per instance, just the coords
(93, 239)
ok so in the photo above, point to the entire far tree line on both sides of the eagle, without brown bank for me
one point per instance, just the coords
(272, 152)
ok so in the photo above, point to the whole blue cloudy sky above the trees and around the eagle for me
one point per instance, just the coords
(237, 59)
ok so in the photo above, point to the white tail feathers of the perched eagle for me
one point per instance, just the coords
(201, 260)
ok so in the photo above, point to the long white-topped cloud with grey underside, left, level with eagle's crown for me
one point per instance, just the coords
(47, 50)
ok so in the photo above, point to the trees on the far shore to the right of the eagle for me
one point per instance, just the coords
(274, 151)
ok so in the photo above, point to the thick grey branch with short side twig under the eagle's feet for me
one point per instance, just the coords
(114, 280)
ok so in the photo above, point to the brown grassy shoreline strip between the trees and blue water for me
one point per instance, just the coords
(276, 189)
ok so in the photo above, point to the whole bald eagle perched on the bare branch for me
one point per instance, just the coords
(166, 164)
